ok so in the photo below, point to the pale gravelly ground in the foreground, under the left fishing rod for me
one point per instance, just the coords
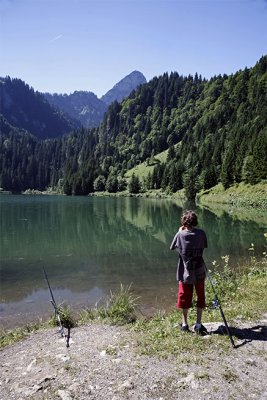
(102, 362)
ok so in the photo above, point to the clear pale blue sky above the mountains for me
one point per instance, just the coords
(66, 45)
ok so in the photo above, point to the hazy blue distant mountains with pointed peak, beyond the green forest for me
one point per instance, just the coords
(48, 116)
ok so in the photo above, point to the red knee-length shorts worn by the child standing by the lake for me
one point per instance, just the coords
(185, 294)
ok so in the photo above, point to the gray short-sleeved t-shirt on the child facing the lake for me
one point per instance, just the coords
(190, 245)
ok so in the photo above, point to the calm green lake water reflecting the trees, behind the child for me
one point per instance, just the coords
(91, 245)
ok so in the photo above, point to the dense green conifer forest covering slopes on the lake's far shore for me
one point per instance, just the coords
(215, 131)
